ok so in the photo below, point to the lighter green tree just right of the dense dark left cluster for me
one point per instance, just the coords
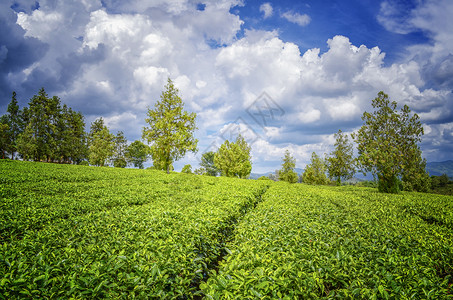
(102, 145)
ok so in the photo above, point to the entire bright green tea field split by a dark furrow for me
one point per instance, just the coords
(84, 232)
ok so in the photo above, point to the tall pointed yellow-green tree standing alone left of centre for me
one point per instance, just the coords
(171, 129)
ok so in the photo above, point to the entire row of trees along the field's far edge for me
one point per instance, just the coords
(387, 143)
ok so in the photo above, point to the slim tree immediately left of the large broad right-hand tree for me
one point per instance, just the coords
(340, 163)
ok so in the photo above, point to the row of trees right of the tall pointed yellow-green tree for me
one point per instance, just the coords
(387, 146)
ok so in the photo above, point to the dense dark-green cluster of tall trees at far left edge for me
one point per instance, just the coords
(44, 131)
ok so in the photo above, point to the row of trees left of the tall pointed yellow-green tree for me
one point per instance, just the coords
(48, 131)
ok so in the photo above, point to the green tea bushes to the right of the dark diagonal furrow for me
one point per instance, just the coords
(322, 242)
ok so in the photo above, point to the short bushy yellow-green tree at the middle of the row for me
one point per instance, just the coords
(233, 159)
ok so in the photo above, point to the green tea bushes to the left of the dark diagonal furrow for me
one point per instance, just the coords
(78, 232)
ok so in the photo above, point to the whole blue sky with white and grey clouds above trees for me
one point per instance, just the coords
(284, 74)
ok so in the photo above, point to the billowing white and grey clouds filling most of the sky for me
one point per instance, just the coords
(112, 60)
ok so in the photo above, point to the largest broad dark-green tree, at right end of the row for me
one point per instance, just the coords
(387, 144)
